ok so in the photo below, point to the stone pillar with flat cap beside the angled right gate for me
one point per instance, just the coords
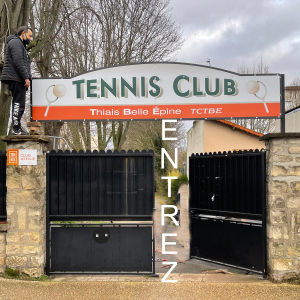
(283, 205)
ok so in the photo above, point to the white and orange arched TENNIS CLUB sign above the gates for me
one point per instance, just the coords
(156, 91)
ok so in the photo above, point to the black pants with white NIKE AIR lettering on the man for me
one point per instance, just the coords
(18, 91)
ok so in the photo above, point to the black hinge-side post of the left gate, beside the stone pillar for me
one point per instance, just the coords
(47, 214)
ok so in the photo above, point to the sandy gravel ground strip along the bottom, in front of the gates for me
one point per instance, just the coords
(13, 289)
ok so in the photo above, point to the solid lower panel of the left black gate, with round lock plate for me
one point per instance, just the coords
(101, 249)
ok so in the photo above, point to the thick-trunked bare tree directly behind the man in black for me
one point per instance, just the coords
(43, 16)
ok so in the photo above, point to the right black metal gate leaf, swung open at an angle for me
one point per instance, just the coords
(227, 208)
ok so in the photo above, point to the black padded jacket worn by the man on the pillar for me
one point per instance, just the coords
(17, 63)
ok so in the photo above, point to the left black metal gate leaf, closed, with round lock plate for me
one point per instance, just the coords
(102, 189)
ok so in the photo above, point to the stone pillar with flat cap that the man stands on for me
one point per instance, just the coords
(26, 208)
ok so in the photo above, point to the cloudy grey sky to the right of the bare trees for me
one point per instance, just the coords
(235, 32)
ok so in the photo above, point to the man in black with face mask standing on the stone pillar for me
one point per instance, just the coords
(16, 74)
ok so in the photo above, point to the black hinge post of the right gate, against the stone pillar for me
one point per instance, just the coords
(263, 195)
